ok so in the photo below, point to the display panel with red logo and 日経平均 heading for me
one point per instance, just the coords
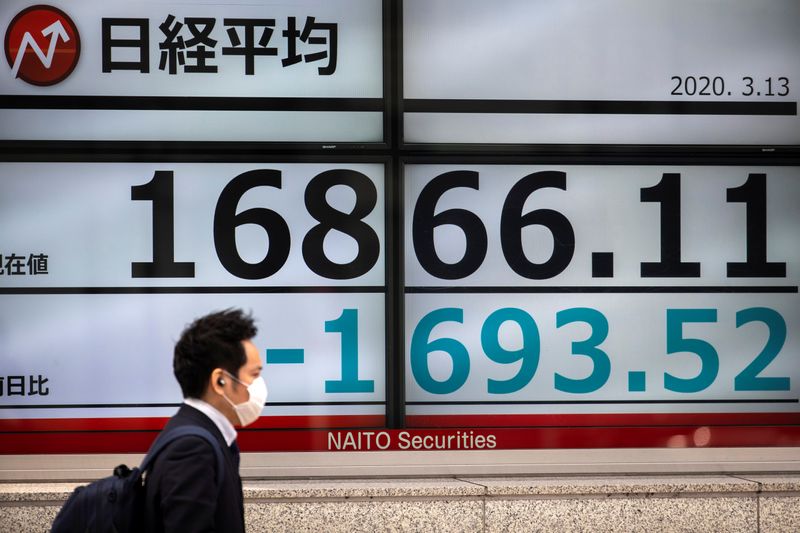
(223, 71)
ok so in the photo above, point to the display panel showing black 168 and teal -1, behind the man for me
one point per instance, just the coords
(102, 265)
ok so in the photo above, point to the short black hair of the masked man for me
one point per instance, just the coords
(212, 341)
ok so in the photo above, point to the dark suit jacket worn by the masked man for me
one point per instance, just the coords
(181, 491)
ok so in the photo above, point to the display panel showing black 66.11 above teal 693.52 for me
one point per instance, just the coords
(601, 296)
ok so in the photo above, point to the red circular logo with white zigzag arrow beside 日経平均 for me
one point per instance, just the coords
(42, 45)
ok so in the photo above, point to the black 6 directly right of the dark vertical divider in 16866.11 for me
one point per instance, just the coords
(425, 222)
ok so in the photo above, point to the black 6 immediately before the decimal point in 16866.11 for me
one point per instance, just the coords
(512, 221)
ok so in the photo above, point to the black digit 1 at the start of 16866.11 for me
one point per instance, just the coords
(160, 191)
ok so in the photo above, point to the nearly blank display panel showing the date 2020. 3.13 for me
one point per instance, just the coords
(604, 72)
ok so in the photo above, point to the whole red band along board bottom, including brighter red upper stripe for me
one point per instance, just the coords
(436, 432)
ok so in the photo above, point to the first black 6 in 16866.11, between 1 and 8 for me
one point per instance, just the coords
(226, 220)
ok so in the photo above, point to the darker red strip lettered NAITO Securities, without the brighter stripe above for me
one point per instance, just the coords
(423, 439)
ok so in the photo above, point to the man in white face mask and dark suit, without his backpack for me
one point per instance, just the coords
(219, 371)
